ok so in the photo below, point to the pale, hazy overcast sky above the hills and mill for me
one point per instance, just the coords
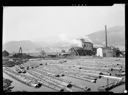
(57, 23)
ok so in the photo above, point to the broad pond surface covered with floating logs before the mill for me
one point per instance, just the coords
(71, 74)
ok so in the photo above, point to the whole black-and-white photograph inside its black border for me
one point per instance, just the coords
(64, 48)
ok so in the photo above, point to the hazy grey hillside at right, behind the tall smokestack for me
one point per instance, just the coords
(115, 37)
